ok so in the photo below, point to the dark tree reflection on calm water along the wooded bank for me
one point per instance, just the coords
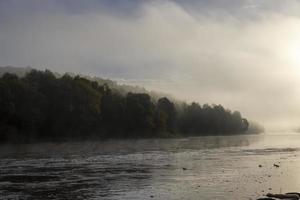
(124, 146)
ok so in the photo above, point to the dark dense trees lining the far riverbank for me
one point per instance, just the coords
(40, 106)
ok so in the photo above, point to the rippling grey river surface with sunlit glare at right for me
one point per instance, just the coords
(223, 167)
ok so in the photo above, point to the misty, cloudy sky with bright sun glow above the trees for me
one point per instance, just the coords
(243, 54)
